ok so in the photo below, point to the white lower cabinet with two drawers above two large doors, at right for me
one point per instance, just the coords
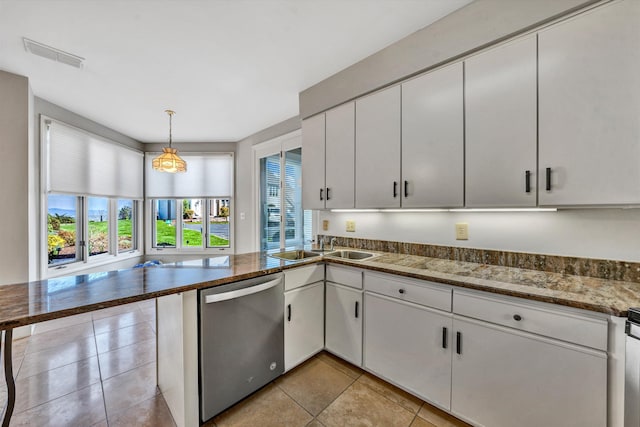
(493, 361)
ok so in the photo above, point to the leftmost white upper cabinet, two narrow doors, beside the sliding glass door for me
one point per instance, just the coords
(328, 151)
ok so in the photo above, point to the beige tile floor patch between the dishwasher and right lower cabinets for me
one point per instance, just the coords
(327, 391)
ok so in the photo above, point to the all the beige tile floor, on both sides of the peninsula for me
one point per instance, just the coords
(98, 369)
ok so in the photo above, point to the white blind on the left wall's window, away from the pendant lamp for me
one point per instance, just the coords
(83, 163)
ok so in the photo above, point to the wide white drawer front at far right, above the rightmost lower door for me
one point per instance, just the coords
(538, 318)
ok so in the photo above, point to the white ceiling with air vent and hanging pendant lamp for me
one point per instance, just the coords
(229, 68)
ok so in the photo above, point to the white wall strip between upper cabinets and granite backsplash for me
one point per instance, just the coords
(590, 233)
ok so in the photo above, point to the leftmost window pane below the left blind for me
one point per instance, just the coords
(63, 229)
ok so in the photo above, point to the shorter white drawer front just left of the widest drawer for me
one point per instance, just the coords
(420, 292)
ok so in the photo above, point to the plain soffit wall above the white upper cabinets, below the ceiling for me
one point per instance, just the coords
(460, 33)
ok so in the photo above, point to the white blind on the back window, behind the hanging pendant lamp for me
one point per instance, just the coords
(207, 175)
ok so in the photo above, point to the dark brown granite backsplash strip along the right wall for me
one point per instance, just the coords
(599, 268)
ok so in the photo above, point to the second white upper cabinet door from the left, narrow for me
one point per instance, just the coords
(340, 157)
